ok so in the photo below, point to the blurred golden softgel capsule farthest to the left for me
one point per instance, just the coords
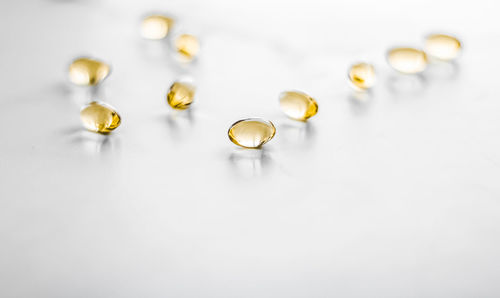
(87, 71)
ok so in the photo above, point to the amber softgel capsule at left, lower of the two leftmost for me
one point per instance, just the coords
(99, 117)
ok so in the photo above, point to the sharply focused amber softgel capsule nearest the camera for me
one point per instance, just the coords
(251, 132)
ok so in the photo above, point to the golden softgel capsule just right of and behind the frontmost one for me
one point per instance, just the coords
(298, 105)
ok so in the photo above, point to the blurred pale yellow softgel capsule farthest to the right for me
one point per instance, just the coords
(442, 47)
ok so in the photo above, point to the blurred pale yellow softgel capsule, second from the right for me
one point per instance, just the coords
(407, 60)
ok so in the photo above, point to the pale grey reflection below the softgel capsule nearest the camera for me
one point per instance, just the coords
(250, 162)
